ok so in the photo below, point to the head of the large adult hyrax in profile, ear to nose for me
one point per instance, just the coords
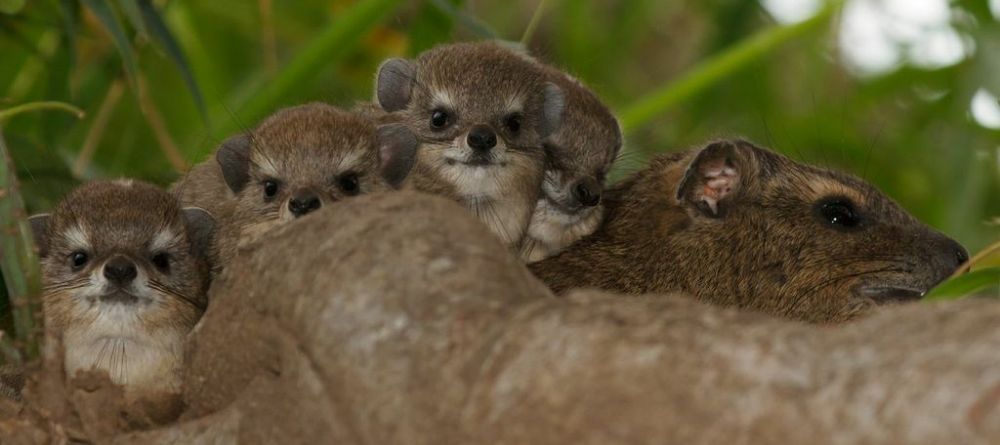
(798, 240)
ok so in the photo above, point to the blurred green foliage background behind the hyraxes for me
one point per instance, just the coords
(900, 92)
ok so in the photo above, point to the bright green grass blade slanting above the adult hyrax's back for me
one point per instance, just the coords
(718, 67)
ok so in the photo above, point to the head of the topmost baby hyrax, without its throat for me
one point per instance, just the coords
(473, 106)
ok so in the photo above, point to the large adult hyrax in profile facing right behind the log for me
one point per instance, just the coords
(738, 225)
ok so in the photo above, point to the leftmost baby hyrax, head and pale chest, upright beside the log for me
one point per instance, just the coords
(124, 276)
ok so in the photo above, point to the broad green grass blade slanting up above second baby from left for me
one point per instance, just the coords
(330, 46)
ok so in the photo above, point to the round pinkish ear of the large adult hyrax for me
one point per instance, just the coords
(716, 177)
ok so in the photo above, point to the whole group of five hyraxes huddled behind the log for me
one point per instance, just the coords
(526, 148)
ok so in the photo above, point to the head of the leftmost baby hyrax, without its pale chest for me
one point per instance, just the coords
(118, 255)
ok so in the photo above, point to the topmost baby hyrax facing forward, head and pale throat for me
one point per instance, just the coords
(481, 113)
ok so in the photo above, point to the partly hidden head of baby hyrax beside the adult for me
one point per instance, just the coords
(581, 151)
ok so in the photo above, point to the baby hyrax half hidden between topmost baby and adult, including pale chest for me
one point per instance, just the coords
(579, 155)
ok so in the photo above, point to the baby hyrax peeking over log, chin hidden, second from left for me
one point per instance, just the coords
(296, 161)
